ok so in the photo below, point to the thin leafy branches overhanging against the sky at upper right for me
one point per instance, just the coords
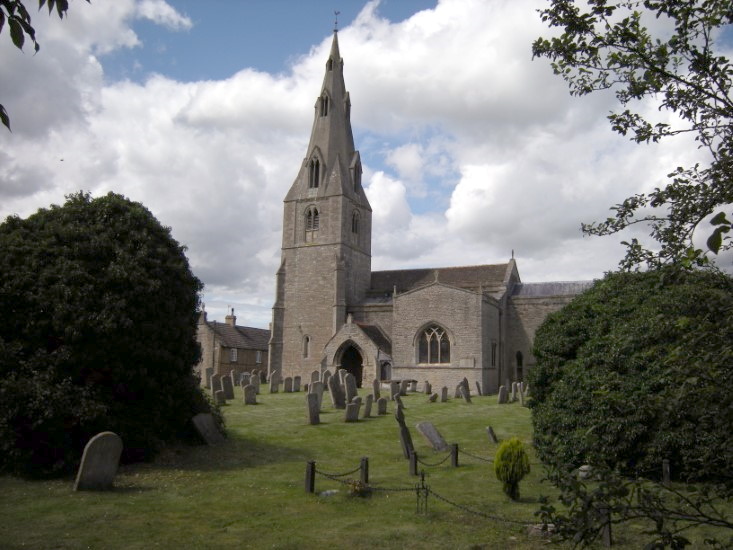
(665, 51)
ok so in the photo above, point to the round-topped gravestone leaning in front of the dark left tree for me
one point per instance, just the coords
(99, 463)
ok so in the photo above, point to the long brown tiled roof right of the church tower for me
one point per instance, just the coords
(471, 276)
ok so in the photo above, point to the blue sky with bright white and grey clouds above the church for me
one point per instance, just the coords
(472, 151)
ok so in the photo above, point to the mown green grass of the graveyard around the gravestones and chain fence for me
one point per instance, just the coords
(249, 492)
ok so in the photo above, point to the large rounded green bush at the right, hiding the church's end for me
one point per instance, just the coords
(638, 369)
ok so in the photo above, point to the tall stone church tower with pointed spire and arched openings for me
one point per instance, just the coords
(326, 246)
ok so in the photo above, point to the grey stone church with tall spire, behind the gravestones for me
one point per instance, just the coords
(332, 311)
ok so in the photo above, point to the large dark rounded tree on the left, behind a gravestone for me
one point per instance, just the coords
(98, 333)
